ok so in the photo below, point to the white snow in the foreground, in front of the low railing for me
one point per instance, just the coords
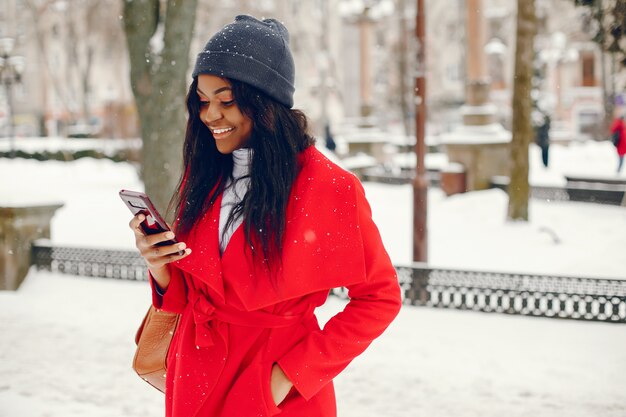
(67, 345)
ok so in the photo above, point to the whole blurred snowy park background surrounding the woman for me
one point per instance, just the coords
(483, 132)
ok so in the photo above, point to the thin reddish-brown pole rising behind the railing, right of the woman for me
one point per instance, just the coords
(420, 183)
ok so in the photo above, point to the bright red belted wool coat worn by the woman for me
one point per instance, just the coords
(237, 321)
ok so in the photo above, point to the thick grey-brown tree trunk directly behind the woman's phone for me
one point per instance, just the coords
(159, 84)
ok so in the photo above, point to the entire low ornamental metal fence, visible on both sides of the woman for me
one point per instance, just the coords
(523, 294)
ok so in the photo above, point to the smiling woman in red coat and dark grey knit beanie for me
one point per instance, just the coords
(268, 226)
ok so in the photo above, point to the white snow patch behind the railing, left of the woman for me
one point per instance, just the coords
(93, 214)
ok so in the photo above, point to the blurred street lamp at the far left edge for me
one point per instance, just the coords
(11, 70)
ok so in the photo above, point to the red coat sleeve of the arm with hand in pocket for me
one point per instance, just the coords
(374, 303)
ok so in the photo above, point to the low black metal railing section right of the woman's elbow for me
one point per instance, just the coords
(525, 294)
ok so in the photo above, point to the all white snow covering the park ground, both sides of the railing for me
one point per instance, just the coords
(67, 342)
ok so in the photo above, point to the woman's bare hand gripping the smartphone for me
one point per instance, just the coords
(157, 257)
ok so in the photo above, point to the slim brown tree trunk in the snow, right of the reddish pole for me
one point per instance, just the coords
(519, 189)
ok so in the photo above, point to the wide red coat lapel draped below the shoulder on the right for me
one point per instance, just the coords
(323, 246)
